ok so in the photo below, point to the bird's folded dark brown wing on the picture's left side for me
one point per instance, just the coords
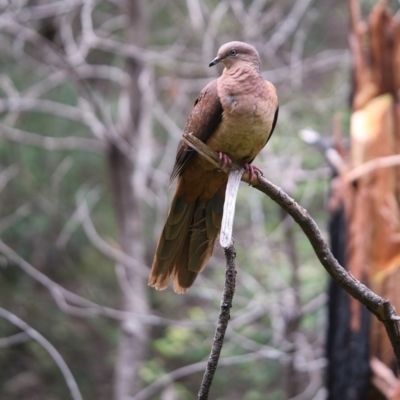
(202, 122)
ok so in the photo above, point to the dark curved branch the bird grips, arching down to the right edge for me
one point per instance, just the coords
(379, 306)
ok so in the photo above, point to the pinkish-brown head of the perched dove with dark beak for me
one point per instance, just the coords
(233, 53)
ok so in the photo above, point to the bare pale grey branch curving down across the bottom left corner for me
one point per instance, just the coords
(55, 355)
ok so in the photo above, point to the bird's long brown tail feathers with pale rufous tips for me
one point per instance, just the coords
(187, 241)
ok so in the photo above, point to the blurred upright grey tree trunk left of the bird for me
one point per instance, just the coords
(134, 334)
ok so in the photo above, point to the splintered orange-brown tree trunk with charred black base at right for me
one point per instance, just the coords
(370, 205)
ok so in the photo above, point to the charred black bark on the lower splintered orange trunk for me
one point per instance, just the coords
(351, 380)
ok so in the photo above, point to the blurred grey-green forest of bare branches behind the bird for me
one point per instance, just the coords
(93, 98)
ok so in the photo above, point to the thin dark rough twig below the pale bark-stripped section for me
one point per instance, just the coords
(223, 320)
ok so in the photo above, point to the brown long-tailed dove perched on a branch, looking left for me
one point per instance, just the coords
(234, 115)
